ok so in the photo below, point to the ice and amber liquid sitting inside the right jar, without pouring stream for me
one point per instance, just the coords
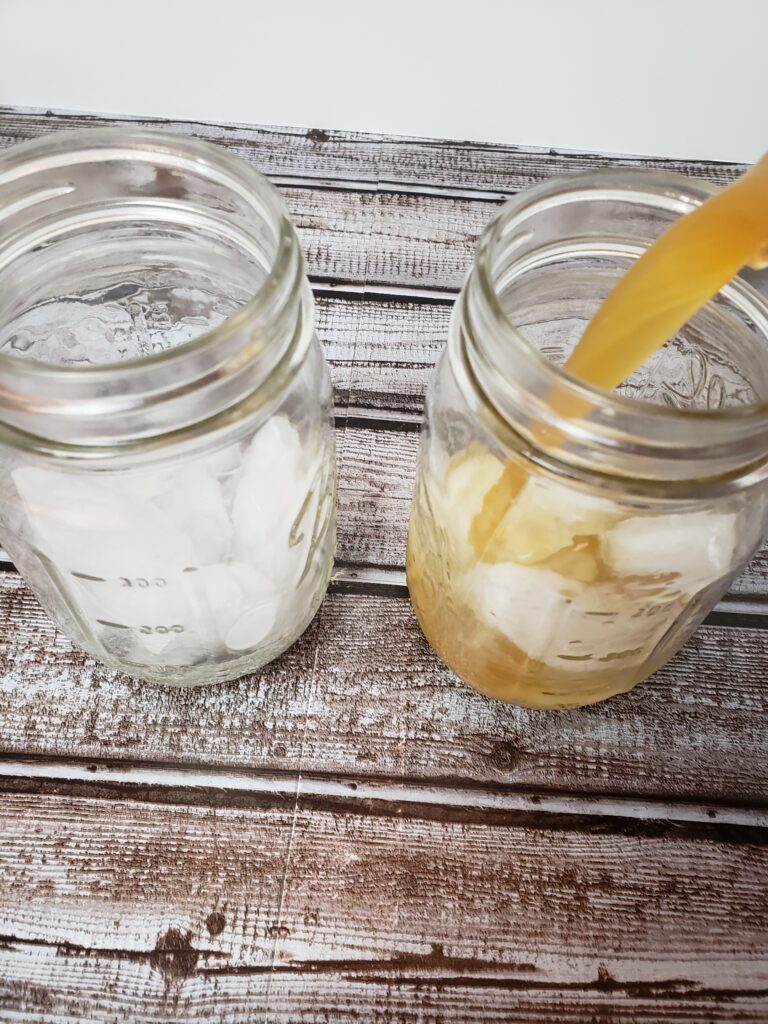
(573, 595)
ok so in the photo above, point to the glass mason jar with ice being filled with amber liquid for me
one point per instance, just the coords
(638, 507)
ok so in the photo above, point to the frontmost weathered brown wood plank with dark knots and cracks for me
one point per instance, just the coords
(118, 909)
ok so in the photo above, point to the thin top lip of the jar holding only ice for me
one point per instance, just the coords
(93, 145)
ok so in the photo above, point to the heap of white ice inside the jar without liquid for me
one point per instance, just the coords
(203, 561)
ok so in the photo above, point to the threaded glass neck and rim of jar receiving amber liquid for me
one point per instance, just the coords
(505, 365)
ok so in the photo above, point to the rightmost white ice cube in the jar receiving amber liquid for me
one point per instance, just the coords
(696, 546)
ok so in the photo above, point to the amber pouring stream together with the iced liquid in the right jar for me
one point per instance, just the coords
(549, 593)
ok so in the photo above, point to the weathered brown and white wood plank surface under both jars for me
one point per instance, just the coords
(354, 835)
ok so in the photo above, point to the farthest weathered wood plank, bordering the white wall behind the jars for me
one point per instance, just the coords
(379, 160)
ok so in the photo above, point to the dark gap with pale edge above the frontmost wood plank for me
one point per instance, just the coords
(404, 798)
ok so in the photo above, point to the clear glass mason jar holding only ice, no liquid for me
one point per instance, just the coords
(167, 468)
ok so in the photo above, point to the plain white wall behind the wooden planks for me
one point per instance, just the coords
(668, 77)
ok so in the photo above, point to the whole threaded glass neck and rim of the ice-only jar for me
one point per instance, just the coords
(246, 361)
